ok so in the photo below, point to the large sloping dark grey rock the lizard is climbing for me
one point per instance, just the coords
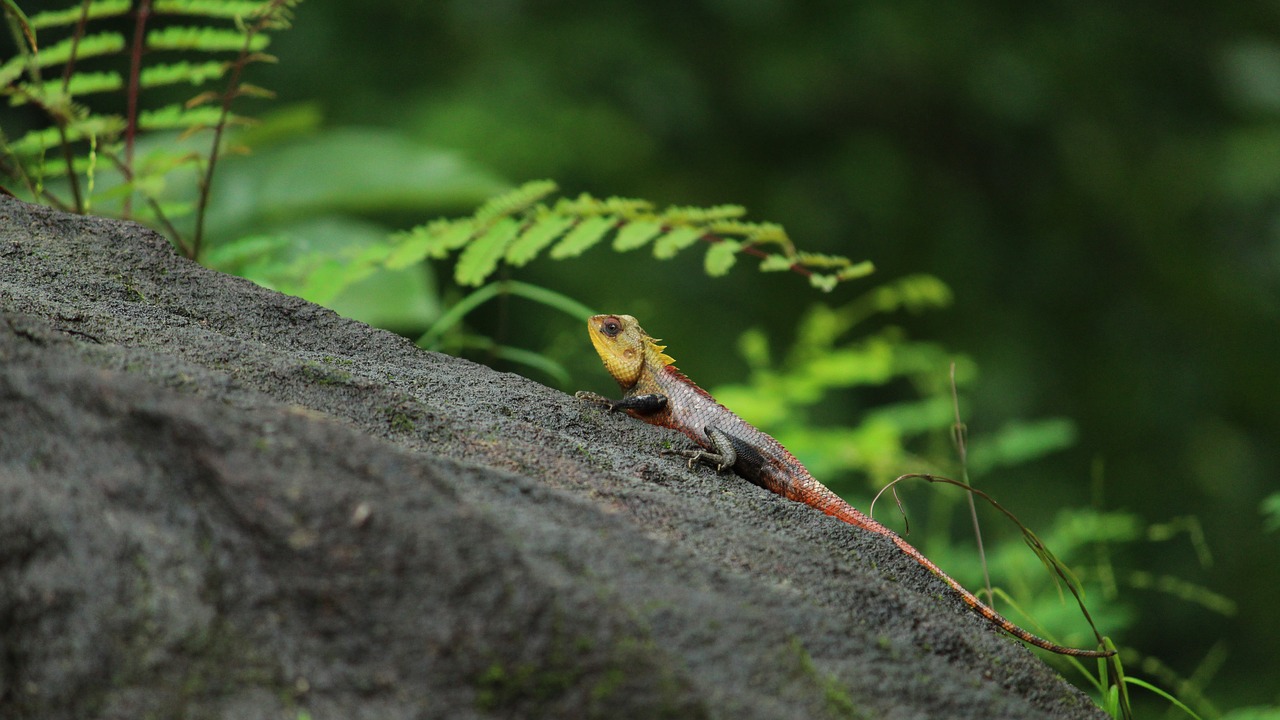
(220, 502)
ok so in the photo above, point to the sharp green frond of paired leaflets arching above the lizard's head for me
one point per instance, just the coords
(518, 227)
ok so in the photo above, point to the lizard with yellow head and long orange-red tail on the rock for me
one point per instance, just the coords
(655, 391)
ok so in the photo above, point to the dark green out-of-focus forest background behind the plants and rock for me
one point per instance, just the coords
(1099, 184)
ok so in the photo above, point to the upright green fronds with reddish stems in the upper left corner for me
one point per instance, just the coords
(85, 160)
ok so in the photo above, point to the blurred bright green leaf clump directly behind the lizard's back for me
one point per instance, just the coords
(829, 363)
